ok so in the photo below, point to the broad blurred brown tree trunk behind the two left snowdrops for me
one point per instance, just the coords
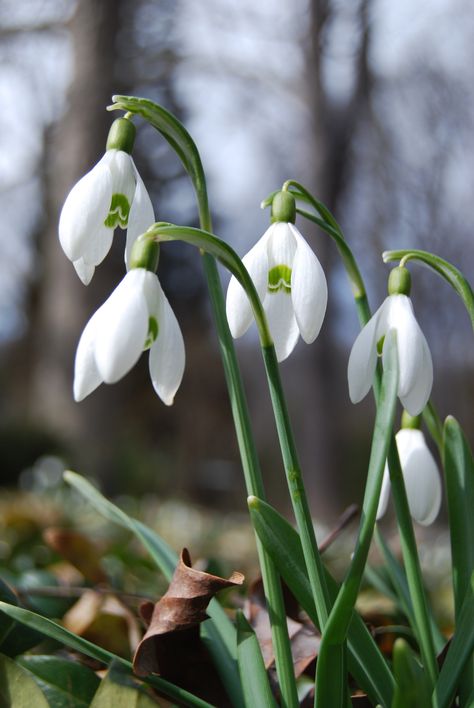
(60, 303)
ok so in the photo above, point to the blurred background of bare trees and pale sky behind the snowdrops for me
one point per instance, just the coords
(369, 103)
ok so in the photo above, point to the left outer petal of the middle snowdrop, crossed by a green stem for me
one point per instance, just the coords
(239, 312)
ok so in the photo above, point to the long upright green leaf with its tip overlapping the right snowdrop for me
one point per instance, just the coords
(330, 677)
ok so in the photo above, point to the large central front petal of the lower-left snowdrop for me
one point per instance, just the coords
(121, 338)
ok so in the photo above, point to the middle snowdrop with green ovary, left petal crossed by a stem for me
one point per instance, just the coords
(289, 280)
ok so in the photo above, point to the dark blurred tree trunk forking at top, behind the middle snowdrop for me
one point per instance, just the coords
(334, 127)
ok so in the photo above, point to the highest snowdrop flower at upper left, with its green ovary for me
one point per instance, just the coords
(111, 194)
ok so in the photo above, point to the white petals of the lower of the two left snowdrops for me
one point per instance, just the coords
(136, 316)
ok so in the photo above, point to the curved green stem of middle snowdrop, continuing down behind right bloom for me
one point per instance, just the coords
(408, 541)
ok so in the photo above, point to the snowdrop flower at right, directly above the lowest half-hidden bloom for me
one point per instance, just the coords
(414, 358)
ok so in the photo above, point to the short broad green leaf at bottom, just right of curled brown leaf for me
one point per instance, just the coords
(253, 674)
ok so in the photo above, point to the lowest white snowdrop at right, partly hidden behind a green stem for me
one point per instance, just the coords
(421, 477)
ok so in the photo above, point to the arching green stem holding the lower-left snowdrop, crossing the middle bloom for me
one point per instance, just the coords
(220, 250)
